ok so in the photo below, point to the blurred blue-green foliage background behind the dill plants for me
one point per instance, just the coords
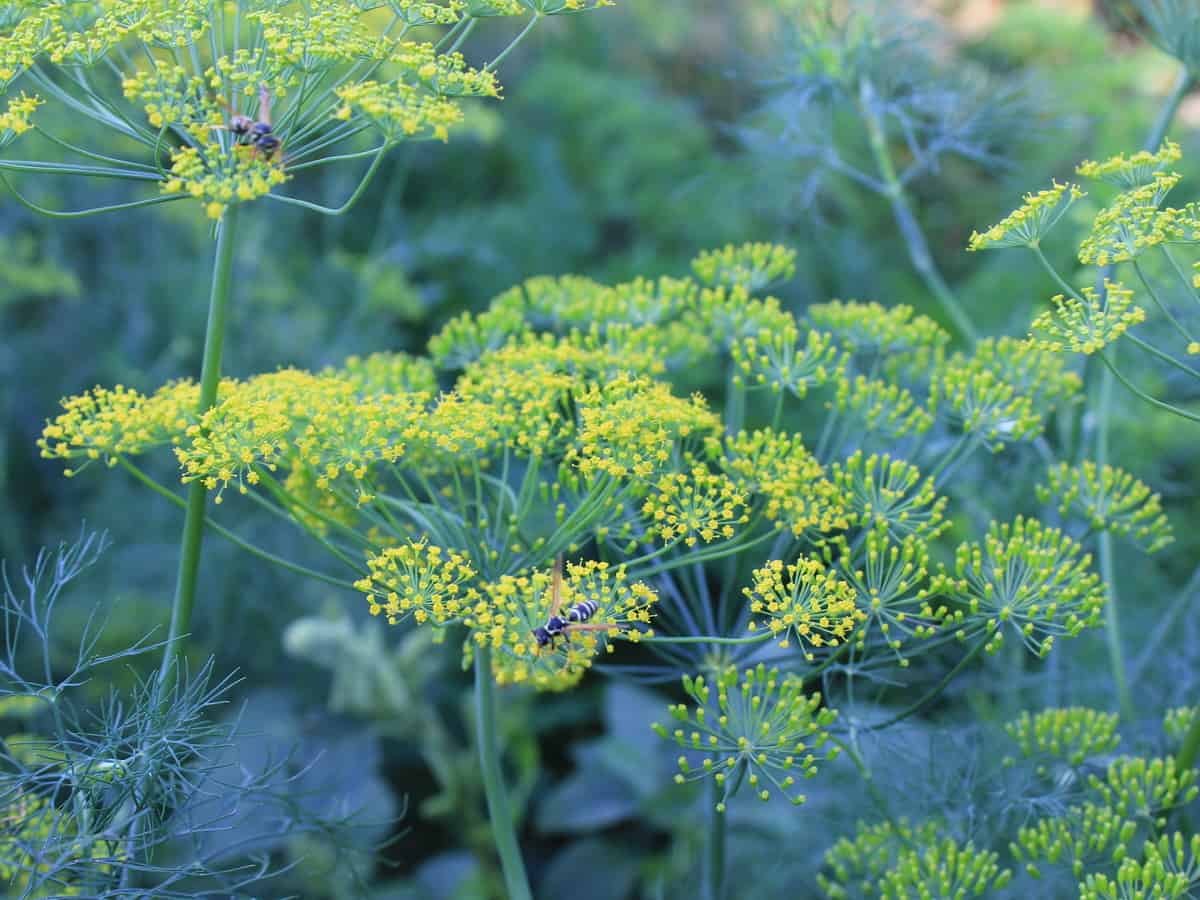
(628, 142)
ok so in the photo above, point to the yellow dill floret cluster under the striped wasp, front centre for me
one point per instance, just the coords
(513, 608)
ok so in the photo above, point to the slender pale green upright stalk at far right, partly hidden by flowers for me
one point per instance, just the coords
(1103, 415)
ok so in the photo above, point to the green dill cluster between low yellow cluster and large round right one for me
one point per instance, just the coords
(890, 579)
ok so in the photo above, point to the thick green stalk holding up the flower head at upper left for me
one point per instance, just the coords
(197, 495)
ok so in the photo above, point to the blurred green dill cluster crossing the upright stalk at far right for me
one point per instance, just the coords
(1111, 500)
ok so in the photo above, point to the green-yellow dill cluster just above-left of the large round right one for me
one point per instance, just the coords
(883, 491)
